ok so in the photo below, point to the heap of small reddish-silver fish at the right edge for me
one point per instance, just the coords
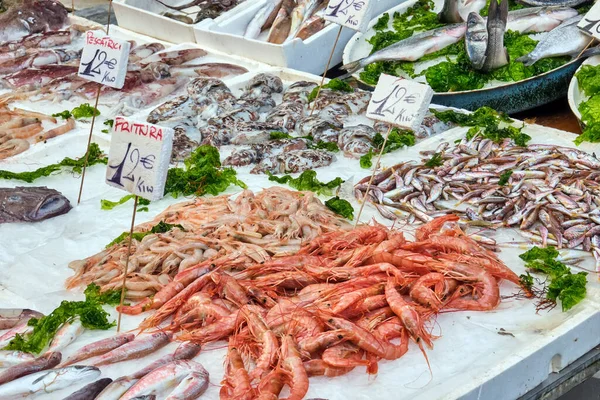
(552, 195)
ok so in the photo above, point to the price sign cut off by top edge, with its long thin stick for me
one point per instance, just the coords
(354, 14)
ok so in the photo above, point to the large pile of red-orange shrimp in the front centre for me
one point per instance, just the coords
(347, 299)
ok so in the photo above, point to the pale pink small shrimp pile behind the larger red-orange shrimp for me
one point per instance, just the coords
(233, 233)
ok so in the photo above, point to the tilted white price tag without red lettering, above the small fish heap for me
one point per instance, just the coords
(400, 102)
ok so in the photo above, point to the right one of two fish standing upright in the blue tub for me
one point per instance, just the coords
(496, 55)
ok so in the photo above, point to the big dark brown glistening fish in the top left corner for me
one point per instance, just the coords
(32, 16)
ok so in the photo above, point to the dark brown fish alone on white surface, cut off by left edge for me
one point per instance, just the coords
(31, 204)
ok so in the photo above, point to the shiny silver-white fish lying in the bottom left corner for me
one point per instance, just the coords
(48, 381)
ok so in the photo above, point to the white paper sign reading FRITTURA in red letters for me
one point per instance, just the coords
(139, 156)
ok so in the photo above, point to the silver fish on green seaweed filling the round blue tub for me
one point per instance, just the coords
(420, 34)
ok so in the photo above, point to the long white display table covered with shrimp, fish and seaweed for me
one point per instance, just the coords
(470, 273)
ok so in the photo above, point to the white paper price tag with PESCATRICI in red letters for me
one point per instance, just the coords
(104, 60)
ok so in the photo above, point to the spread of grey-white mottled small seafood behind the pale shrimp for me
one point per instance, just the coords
(211, 114)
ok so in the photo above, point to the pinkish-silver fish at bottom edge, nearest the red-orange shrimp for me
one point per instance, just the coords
(163, 379)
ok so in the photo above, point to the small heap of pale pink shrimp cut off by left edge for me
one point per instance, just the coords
(21, 128)
